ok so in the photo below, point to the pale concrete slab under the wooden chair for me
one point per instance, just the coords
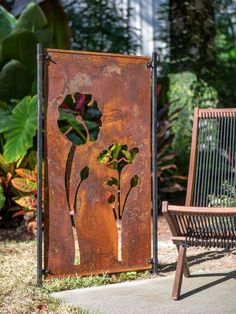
(205, 293)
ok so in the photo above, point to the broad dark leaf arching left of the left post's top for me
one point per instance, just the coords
(20, 46)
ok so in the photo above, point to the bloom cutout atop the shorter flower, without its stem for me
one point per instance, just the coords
(117, 156)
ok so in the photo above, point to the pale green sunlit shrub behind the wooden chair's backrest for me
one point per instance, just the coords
(186, 92)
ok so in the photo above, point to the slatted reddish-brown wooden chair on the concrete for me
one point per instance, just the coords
(208, 218)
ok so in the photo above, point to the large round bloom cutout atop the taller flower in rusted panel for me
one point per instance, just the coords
(79, 118)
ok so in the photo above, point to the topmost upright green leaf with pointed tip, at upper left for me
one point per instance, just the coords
(32, 18)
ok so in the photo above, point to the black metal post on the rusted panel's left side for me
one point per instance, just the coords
(40, 66)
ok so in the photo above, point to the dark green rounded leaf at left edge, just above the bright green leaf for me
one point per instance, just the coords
(15, 81)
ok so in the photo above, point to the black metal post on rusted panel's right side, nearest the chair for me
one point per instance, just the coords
(154, 164)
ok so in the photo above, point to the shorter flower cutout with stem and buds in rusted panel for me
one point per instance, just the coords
(117, 157)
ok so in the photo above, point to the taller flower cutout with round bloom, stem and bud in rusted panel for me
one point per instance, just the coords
(80, 122)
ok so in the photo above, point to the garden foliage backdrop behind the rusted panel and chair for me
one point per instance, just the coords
(197, 68)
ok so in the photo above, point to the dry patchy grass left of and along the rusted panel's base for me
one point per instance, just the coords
(18, 292)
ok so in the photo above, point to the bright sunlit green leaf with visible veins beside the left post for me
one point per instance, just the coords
(21, 129)
